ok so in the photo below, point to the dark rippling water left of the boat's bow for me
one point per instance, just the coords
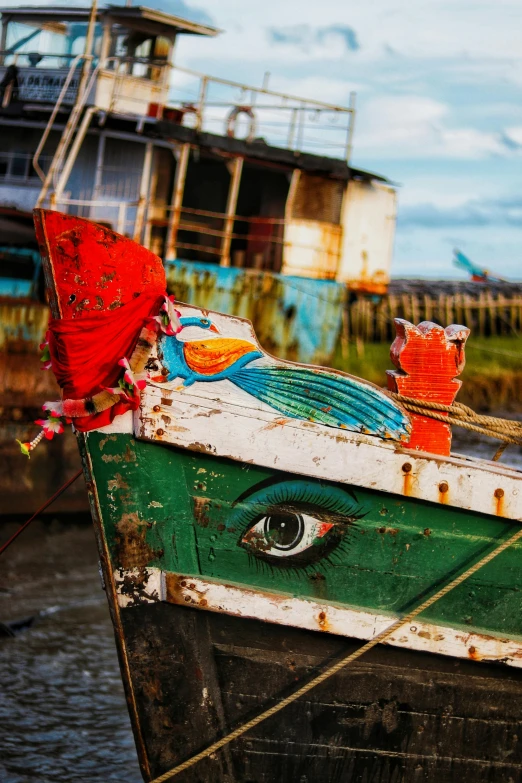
(62, 709)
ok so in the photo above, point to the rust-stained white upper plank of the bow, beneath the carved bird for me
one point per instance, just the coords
(218, 422)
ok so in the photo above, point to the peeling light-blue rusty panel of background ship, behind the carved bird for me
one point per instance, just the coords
(295, 318)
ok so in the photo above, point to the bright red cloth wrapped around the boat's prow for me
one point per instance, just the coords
(85, 352)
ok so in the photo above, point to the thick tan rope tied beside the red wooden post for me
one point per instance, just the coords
(462, 416)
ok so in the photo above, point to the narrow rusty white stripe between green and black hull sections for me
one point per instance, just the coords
(312, 615)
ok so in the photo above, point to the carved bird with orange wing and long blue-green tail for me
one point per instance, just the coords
(295, 391)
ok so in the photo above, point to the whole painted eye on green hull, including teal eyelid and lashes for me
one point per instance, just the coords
(293, 524)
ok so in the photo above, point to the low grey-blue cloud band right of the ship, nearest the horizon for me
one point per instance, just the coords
(475, 213)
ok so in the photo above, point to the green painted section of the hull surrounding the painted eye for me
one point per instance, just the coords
(187, 513)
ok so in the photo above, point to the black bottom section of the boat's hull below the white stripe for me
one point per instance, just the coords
(392, 717)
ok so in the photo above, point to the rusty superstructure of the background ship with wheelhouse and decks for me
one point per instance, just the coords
(97, 120)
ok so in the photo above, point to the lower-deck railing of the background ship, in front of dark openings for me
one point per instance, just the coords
(205, 235)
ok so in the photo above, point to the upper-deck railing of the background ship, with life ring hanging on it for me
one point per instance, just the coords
(208, 103)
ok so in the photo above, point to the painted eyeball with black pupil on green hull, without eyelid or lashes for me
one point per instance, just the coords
(282, 533)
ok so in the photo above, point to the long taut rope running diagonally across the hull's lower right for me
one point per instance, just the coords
(332, 670)
